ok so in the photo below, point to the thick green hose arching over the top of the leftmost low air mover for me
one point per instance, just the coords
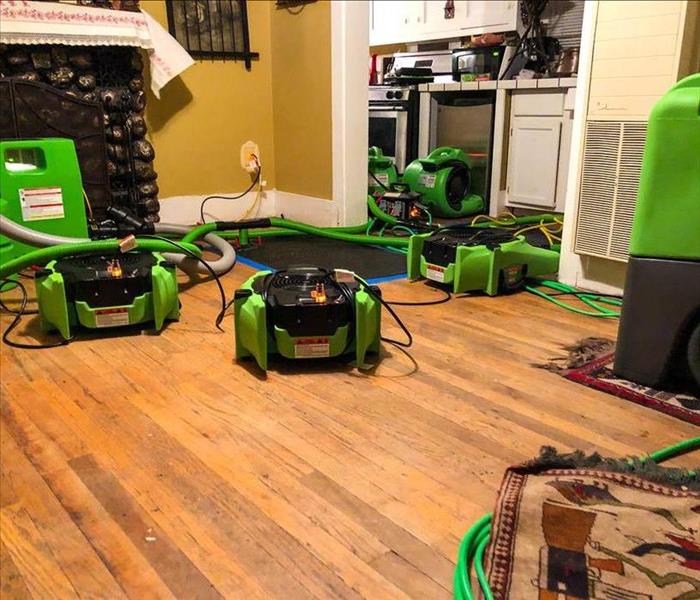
(43, 255)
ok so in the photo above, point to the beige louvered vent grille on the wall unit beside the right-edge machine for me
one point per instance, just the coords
(612, 162)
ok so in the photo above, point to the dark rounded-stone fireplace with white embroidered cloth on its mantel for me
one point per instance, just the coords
(90, 90)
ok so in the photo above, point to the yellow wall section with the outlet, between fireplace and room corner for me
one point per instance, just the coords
(202, 118)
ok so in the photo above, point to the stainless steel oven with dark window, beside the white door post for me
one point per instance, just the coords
(393, 122)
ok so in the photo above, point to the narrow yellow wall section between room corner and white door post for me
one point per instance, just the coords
(301, 90)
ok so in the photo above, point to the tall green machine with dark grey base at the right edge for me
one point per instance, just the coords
(659, 338)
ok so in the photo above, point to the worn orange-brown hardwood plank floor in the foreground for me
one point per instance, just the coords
(153, 466)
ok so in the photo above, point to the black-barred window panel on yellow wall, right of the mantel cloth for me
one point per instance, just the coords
(213, 29)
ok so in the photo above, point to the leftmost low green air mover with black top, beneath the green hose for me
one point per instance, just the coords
(98, 291)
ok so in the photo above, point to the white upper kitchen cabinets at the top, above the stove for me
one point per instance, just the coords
(407, 21)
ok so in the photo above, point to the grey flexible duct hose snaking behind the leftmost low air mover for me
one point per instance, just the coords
(31, 237)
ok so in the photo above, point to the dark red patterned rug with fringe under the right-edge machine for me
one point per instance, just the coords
(590, 362)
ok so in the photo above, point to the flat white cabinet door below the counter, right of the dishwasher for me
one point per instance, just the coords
(533, 161)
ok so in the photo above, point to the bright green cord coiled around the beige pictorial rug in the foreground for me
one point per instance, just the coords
(471, 550)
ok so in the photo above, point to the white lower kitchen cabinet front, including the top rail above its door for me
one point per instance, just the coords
(538, 150)
